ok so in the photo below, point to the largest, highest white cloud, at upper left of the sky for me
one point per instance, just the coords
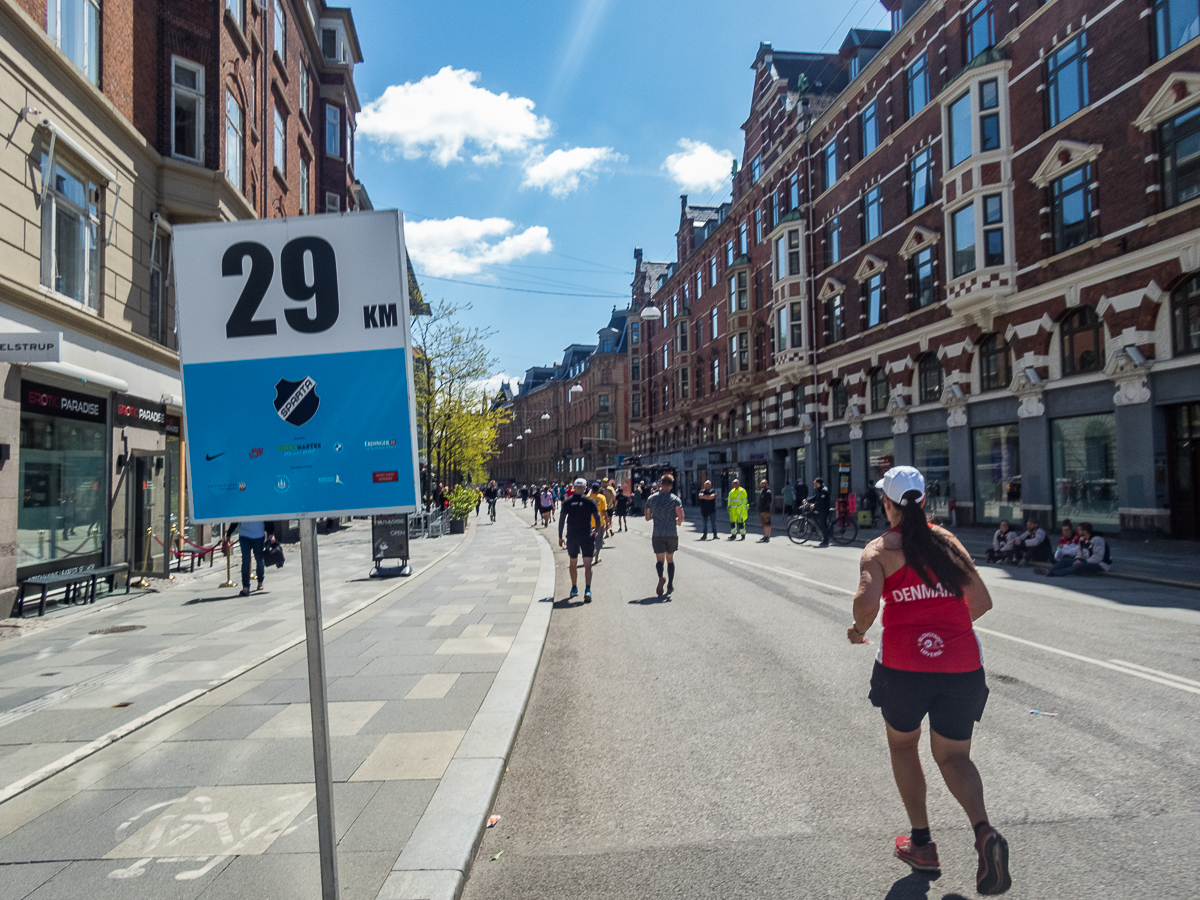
(442, 113)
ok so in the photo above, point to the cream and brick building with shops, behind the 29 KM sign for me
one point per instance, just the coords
(124, 119)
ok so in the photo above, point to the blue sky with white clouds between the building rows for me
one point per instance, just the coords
(533, 146)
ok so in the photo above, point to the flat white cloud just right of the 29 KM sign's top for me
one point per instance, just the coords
(446, 248)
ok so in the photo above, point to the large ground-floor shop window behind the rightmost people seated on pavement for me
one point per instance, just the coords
(1085, 472)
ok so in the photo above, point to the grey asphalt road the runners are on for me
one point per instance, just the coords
(722, 745)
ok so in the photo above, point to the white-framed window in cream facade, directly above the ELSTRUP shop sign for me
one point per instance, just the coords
(71, 236)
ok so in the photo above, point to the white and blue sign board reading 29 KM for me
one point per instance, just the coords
(298, 369)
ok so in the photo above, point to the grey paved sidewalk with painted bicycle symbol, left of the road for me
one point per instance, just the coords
(428, 681)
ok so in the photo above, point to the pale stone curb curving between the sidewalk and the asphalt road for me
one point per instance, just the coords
(436, 861)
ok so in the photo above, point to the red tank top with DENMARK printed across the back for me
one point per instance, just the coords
(926, 629)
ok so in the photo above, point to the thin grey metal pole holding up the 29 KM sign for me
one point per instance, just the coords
(319, 705)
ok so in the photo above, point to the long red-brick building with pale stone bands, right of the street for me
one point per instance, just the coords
(969, 244)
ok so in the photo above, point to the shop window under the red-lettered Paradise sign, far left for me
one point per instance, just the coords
(63, 485)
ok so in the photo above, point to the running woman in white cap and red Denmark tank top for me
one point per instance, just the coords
(929, 663)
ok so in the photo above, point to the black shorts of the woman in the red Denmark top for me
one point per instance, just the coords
(955, 701)
